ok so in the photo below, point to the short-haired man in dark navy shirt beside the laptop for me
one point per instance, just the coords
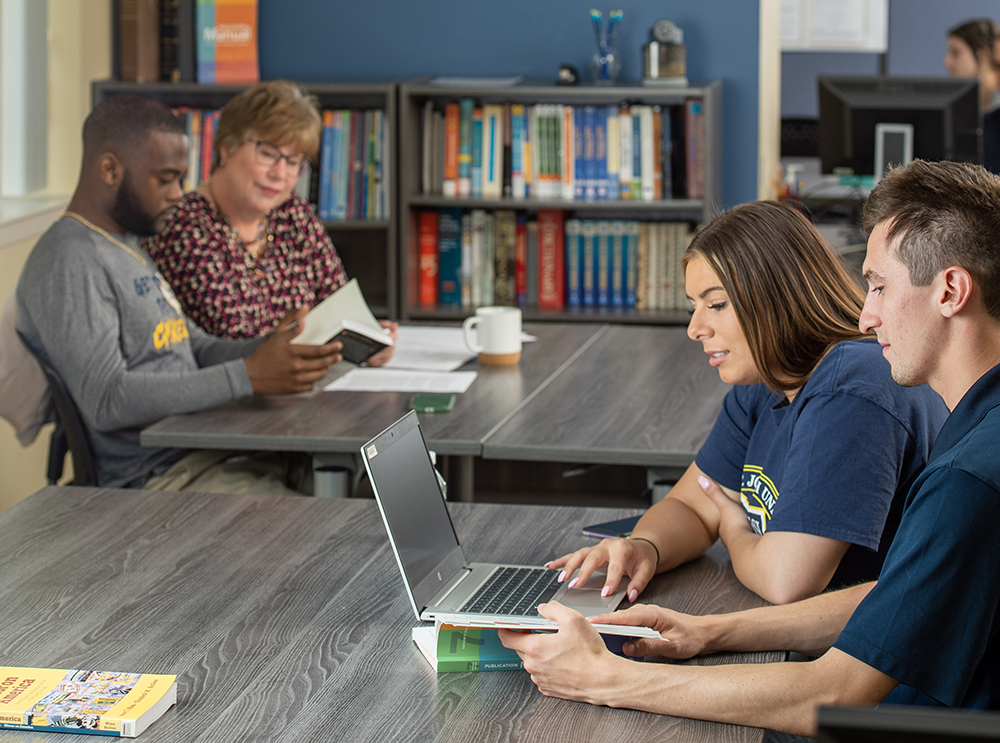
(926, 632)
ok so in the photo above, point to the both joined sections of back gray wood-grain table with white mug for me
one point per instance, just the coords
(613, 394)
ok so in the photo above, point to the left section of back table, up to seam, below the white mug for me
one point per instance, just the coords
(344, 421)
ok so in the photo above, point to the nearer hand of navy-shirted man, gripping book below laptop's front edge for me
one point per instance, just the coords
(572, 663)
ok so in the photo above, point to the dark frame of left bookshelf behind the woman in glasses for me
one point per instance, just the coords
(367, 247)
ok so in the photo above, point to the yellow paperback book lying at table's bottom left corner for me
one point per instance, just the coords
(78, 701)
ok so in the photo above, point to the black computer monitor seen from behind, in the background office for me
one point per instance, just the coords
(939, 116)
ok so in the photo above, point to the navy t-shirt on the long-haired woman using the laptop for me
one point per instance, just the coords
(830, 462)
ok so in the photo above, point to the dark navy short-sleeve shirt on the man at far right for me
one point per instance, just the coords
(932, 620)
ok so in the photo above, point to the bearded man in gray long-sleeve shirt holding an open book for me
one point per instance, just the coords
(92, 304)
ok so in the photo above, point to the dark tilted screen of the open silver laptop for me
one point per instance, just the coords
(410, 498)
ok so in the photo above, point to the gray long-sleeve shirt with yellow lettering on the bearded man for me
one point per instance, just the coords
(109, 324)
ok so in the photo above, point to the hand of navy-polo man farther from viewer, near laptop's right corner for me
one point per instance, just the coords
(684, 636)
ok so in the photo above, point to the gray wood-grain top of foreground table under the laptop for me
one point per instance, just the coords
(285, 620)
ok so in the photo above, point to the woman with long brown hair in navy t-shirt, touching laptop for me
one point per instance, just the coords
(813, 404)
